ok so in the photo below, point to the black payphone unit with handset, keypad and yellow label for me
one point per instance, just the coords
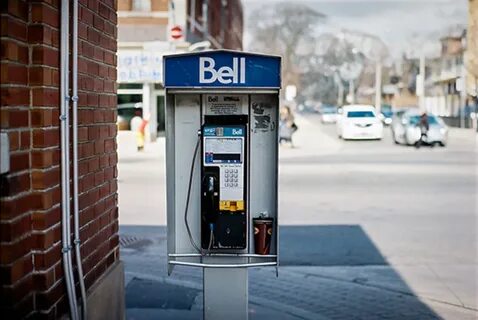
(223, 189)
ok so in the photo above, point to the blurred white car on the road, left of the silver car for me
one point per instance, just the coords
(359, 122)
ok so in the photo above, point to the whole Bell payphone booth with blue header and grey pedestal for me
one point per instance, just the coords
(222, 118)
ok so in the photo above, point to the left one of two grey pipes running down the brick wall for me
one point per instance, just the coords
(65, 163)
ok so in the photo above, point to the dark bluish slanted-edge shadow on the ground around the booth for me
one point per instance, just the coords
(333, 247)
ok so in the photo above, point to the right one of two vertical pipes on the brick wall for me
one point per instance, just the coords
(76, 214)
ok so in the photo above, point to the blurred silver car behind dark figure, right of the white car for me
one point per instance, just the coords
(407, 131)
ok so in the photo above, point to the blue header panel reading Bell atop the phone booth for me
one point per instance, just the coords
(220, 69)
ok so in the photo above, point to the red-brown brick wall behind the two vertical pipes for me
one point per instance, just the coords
(31, 274)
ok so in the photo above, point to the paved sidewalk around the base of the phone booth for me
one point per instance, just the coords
(300, 292)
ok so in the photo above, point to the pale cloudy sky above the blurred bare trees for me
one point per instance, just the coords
(403, 25)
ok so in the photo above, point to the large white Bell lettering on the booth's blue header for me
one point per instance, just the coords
(225, 75)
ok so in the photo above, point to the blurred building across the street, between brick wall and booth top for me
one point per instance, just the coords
(148, 29)
